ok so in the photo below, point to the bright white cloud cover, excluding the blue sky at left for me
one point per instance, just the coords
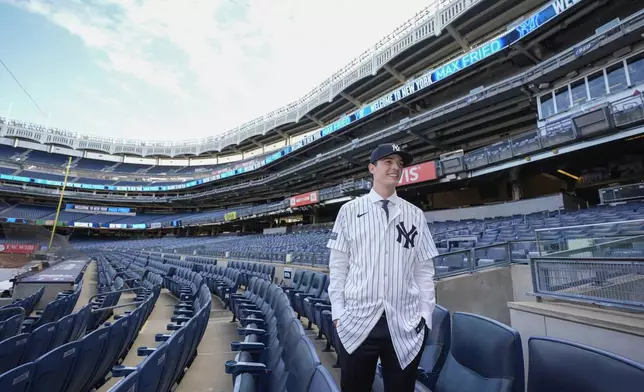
(219, 63)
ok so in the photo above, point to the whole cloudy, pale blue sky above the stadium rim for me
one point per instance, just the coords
(177, 69)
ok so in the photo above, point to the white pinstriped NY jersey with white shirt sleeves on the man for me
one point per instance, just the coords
(379, 265)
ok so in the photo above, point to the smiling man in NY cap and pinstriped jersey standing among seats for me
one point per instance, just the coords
(382, 280)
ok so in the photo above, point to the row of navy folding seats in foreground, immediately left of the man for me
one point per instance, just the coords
(274, 342)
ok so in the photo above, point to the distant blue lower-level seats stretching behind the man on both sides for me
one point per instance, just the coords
(309, 247)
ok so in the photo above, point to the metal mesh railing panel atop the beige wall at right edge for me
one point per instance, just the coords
(608, 274)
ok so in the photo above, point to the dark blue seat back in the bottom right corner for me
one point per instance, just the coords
(556, 365)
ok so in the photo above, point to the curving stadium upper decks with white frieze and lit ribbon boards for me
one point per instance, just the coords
(484, 96)
